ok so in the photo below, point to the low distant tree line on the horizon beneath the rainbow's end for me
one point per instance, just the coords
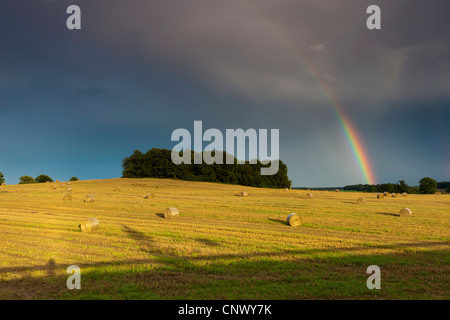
(427, 185)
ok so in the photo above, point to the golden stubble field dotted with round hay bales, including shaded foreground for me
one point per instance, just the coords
(221, 246)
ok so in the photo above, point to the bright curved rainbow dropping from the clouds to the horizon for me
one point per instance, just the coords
(351, 134)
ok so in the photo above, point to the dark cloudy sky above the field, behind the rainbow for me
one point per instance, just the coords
(75, 103)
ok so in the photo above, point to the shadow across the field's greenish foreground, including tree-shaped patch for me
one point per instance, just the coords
(408, 271)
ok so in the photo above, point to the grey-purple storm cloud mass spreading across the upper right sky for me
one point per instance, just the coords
(258, 49)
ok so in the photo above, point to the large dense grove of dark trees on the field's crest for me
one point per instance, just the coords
(157, 163)
